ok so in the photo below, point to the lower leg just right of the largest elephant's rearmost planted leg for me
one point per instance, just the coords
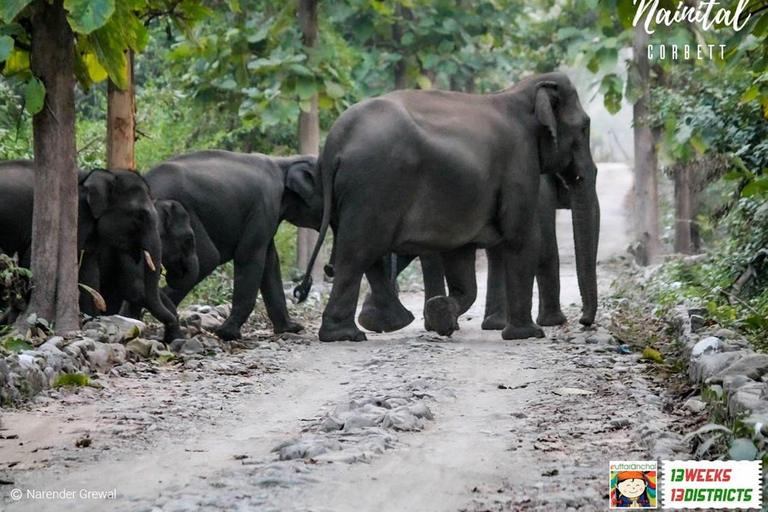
(382, 310)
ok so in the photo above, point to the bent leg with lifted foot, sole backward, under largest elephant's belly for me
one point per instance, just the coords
(441, 313)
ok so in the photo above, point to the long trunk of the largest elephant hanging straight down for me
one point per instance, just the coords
(586, 229)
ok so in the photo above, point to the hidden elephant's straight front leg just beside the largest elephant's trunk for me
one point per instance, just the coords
(548, 271)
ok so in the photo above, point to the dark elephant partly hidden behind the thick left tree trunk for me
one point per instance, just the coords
(115, 211)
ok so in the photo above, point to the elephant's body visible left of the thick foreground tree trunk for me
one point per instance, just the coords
(17, 182)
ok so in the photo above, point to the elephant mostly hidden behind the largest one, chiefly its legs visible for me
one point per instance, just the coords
(553, 195)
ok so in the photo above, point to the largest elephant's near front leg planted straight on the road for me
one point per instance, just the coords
(521, 253)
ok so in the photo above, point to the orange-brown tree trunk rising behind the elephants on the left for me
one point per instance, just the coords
(121, 122)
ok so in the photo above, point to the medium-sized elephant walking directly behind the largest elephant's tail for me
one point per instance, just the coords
(236, 202)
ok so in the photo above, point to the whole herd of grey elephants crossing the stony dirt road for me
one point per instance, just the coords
(411, 173)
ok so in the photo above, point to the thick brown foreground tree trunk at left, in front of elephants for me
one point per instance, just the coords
(54, 223)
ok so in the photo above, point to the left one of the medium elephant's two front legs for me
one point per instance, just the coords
(249, 268)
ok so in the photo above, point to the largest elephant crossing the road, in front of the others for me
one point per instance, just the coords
(415, 172)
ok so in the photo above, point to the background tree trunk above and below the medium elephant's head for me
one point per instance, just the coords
(309, 137)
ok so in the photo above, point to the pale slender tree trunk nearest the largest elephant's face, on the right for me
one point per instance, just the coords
(646, 213)
